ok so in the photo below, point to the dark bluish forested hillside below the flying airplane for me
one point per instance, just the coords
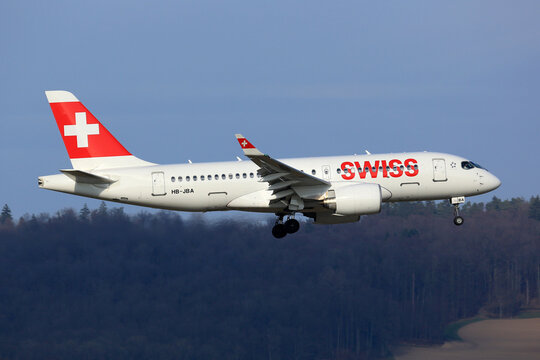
(99, 284)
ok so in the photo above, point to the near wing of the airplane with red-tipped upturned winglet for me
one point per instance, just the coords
(283, 180)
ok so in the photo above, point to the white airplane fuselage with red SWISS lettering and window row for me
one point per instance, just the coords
(236, 186)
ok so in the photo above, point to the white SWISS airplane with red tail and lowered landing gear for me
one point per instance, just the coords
(329, 190)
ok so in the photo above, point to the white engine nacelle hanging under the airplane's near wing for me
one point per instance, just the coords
(359, 199)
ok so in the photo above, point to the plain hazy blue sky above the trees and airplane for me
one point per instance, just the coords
(175, 80)
